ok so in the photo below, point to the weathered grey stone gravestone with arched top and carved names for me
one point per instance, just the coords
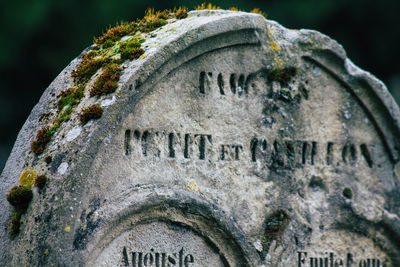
(232, 141)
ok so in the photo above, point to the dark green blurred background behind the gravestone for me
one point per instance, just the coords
(38, 38)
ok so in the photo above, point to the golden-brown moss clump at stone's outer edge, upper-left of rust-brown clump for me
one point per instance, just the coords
(89, 65)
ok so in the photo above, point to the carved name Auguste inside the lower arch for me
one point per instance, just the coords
(157, 259)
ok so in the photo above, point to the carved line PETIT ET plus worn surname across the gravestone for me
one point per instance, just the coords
(272, 153)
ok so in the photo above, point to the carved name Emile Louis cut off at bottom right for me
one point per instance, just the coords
(330, 259)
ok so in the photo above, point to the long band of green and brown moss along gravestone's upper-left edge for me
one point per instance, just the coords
(107, 51)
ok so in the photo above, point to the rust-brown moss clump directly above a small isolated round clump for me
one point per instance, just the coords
(107, 82)
